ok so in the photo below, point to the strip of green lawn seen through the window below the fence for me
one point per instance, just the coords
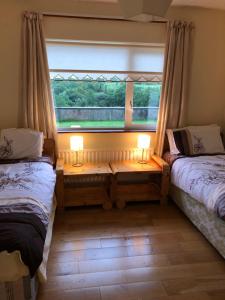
(95, 124)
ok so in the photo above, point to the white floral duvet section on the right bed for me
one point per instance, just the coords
(202, 177)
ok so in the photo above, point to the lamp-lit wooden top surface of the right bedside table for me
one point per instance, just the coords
(135, 167)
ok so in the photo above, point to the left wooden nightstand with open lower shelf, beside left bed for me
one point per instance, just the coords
(85, 185)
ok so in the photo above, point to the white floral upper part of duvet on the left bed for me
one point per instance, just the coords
(28, 183)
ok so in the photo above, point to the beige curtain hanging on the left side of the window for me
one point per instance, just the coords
(37, 103)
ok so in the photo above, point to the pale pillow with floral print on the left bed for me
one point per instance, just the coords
(20, 143)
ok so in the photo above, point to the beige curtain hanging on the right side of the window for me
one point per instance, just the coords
(175, 79)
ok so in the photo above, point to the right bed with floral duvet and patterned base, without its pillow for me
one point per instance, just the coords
(198, 188)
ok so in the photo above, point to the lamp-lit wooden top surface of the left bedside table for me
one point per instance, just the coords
(87, 169)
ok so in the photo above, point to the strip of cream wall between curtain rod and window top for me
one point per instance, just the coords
(101, 30)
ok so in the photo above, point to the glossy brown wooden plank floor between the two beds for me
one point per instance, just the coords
(143, 252)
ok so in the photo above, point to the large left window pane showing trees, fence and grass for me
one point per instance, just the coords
(89, 104)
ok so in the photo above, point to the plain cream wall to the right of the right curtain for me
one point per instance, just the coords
(207, 82)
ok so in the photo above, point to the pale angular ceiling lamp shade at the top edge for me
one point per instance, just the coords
(143, 10)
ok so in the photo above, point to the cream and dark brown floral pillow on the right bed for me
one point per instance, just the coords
(195, 140)
